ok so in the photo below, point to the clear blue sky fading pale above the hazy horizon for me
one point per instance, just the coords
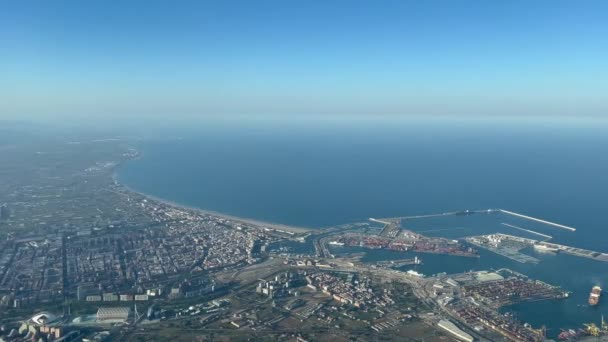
(296, 58)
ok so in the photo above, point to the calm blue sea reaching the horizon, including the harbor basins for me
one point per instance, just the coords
(323, 173)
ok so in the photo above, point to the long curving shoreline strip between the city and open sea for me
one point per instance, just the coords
(271, 225)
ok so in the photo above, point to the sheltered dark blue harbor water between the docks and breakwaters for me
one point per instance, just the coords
(549, 251)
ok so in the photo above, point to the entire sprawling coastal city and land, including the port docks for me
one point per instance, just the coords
(84, 258)
